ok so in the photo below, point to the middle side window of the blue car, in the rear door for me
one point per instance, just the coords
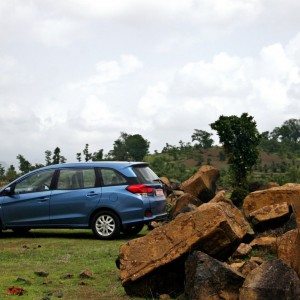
(72, 179)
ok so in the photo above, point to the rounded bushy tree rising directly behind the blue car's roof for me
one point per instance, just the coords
(129, 147)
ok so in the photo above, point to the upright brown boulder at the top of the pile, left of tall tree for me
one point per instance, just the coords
(202, 184)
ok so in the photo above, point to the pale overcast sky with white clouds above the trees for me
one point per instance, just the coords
(81, 71)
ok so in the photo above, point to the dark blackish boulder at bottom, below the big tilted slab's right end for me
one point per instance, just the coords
(208, 278)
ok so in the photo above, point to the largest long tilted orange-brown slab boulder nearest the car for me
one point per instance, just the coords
(215, 228)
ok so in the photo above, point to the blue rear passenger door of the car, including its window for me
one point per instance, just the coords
(76, 195)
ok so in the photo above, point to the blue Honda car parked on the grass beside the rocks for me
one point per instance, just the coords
(108, 197)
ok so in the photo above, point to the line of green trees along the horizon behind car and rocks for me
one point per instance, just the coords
(239, 137)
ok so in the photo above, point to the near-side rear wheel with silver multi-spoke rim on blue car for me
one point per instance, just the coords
(106, 225)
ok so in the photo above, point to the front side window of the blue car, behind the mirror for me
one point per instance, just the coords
(37, 182)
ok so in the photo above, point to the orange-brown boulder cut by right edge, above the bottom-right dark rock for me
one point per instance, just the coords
(288, 249)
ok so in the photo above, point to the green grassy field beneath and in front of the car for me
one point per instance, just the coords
(64, 254)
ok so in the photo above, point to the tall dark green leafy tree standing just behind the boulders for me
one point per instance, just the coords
(240, 139)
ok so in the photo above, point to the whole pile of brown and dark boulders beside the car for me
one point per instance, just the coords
(209, 249)
